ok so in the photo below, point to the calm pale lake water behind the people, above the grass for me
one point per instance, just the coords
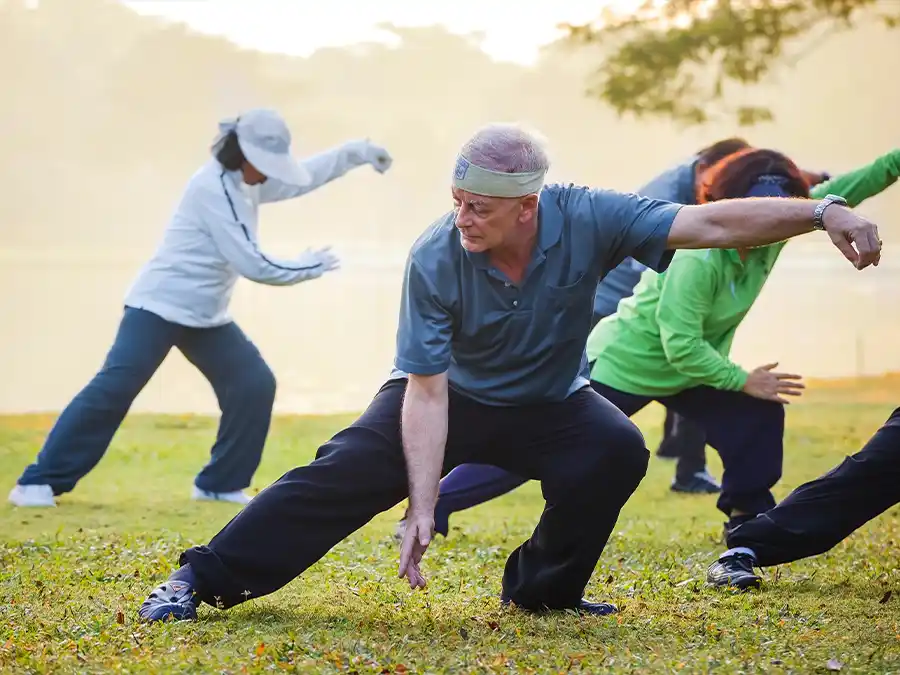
(330, 341)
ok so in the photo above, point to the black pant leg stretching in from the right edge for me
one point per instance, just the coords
(820, 514)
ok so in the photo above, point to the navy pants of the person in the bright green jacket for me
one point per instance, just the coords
(747, 432)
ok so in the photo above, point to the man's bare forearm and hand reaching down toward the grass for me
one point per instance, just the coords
(423, 425)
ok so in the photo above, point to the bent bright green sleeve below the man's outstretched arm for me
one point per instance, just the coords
(686, 297)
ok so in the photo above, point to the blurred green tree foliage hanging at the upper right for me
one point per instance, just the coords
(674, 58)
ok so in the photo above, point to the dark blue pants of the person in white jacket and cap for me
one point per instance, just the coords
(243, 384)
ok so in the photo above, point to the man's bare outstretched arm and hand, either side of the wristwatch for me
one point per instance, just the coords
(751, 222)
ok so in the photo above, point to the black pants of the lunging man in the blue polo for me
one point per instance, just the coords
(571, 447)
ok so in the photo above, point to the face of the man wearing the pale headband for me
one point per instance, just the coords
(485, 223)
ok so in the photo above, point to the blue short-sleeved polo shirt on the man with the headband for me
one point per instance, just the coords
(506, 344)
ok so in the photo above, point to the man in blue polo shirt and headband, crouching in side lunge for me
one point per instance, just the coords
(490, 367)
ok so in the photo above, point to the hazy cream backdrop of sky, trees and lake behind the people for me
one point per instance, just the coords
(109, 107)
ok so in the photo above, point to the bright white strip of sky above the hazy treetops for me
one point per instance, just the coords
(513, 31)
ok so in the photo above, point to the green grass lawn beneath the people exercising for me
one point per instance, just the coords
(71, 578)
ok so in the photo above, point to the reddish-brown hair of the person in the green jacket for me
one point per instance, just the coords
(732, 177)
